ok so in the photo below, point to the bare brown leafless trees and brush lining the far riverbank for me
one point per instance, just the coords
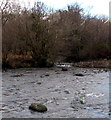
(37, 37)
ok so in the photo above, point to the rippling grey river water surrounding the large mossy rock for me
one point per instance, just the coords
(59, 90)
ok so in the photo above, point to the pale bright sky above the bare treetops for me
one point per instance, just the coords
(97, 6)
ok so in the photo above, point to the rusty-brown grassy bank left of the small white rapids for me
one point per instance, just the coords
(24, 61)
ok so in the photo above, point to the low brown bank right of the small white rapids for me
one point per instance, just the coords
(93, 64)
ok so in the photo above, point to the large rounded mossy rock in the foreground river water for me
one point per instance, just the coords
(38, 107)
